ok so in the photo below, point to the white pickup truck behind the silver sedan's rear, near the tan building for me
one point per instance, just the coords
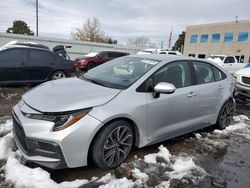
(229, 63)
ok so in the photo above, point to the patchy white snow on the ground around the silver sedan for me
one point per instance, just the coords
(162, 165)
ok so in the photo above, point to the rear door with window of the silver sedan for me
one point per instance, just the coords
(209, 90)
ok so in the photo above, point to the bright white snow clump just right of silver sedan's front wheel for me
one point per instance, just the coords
(164, 153)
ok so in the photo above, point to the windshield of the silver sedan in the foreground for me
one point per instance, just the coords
(120, 73)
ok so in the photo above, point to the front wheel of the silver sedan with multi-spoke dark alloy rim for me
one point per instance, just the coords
(112, 145)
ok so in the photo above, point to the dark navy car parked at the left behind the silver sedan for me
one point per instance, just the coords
(22, 64)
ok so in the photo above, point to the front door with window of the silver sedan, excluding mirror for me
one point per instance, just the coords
(171, 114)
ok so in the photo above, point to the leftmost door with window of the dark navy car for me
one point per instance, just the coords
(13, 65)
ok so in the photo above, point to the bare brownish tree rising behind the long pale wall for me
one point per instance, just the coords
(91, 31)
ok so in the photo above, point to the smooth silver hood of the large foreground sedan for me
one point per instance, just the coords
(67, 95)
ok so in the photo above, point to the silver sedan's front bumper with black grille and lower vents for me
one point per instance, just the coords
(62, 149)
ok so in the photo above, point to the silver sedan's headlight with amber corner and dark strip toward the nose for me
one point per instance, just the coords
(62, 121)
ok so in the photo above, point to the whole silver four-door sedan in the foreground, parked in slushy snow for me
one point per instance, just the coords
(112, 110)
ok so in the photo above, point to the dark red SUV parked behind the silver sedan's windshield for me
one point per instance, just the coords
(93, 59)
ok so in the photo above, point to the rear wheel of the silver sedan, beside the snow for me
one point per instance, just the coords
(226, 115)
